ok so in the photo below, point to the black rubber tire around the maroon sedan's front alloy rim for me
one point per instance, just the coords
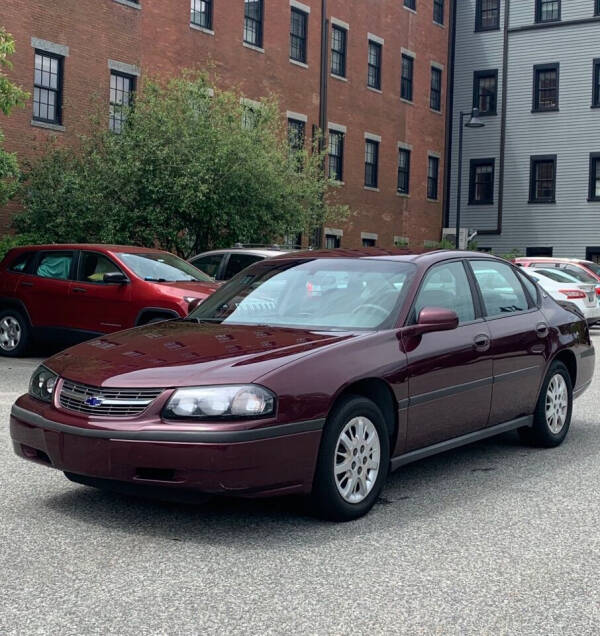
(327, 500)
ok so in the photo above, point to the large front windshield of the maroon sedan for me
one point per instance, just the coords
(325, 294)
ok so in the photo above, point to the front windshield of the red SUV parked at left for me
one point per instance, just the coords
(162, 267)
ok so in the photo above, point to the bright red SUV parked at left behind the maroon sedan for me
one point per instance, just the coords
(75, 292)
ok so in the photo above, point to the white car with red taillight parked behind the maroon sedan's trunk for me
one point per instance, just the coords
(562, 286)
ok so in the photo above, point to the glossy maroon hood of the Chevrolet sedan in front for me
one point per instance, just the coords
(182, 353)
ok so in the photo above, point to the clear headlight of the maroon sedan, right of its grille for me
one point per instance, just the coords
(220, 402)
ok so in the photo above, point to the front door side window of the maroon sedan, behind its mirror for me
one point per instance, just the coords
(447, 286)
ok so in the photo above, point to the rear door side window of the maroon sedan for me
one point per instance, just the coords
(501, 289)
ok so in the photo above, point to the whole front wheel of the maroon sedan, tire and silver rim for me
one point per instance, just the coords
(353, 460)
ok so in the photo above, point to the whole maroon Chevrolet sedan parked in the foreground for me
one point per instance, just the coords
(313, 373)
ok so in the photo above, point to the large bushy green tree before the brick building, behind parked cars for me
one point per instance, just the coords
(192, 169)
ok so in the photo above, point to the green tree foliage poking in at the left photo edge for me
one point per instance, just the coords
(11, 96)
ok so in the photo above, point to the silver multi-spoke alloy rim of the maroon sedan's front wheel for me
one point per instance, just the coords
(357, 459)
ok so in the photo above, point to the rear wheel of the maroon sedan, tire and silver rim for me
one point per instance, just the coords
(552, 416)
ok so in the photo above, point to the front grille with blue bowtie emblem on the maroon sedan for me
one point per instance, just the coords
(106, 402)
